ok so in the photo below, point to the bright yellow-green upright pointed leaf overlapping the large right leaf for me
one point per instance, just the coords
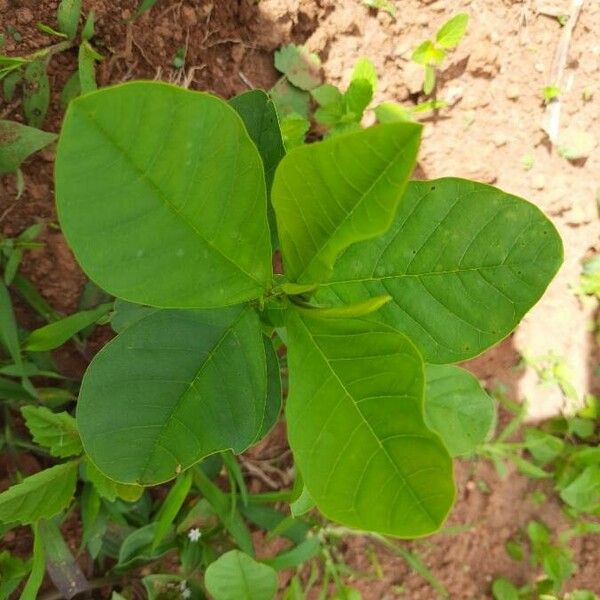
(331, 194)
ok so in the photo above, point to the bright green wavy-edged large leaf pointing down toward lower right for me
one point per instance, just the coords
(355, 425)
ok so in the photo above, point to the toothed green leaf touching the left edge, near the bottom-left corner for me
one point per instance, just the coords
(39, 496)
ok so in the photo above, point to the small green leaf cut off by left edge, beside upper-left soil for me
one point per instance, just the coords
(17, 142)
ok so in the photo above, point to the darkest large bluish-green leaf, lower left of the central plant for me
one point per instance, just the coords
(171, 389)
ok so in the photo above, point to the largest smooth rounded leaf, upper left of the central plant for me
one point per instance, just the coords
(161, 195)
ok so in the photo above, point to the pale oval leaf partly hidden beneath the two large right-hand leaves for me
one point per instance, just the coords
(457, 408)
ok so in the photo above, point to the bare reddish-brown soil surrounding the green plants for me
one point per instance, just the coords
(492, 132)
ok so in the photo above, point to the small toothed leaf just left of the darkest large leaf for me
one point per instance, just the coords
(55, 431)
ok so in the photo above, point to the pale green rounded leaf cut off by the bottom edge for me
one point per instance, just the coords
(237, 576)
